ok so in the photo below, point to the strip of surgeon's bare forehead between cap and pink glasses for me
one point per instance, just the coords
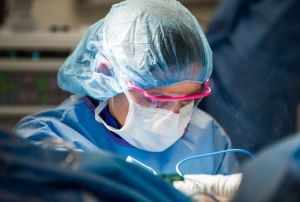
(178, 89)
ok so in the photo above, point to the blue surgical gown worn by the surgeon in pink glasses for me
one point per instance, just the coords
(73, 121)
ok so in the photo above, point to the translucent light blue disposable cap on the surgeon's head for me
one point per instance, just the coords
(150, 43)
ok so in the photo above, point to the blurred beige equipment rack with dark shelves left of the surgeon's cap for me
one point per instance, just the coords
(29, 60)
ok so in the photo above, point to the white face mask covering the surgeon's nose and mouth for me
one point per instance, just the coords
(151, 129)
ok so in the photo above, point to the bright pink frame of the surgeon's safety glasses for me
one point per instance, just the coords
(203, 92)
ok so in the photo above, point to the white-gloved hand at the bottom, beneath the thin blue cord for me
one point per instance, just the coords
(222, 187)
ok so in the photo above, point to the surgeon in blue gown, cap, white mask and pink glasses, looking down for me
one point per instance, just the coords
(137, 76)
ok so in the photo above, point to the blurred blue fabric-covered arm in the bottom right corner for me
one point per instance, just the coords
(274, 175)
